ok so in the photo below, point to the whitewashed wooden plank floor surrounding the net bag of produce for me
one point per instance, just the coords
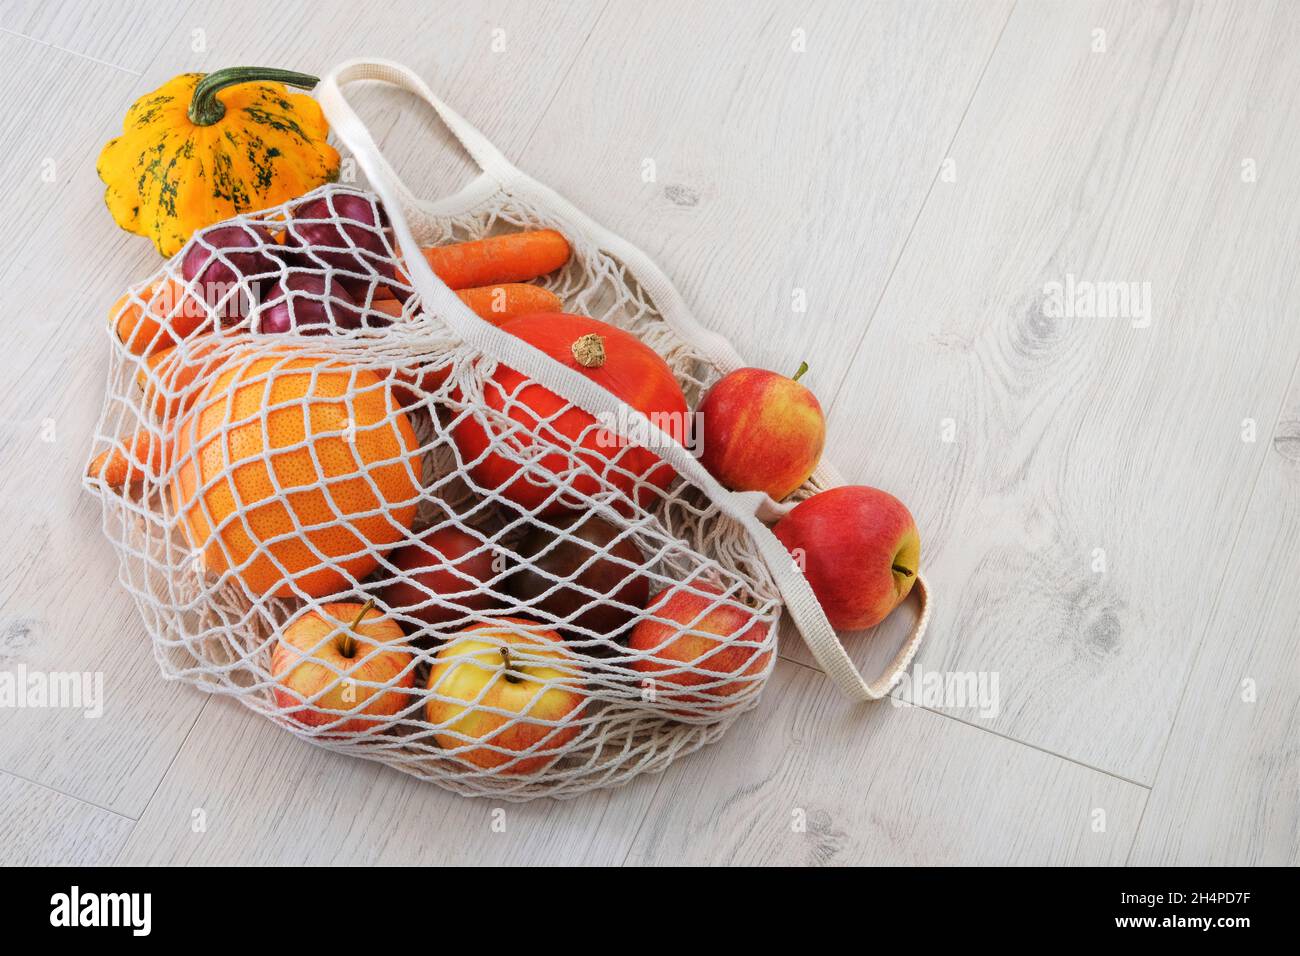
(1111, 513)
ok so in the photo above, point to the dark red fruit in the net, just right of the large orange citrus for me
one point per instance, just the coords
(444, 568)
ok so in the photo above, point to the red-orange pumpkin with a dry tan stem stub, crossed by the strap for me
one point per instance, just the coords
(579, 457)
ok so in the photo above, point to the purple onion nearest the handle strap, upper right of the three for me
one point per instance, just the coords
(352, 244)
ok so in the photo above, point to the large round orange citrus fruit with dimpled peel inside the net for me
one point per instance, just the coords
(293, 471)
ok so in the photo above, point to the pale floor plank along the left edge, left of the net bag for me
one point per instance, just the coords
(60, 605)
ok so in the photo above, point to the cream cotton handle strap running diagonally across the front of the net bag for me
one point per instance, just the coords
(800, 602)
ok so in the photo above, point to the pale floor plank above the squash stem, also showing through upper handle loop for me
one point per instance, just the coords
(499, 64)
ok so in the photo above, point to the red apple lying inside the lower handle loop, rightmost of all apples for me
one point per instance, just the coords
(860, 551)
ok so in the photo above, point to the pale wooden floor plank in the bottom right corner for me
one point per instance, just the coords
(1228, 791)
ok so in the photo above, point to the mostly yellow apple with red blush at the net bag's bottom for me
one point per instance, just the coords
(530, 677)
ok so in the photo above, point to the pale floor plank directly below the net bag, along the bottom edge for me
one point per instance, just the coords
(270, 799)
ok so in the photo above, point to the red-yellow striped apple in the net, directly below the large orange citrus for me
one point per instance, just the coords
(343, 652)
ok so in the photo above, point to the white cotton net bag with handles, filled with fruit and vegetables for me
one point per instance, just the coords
(298, 465)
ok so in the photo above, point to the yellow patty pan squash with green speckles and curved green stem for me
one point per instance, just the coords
(203, 148)
